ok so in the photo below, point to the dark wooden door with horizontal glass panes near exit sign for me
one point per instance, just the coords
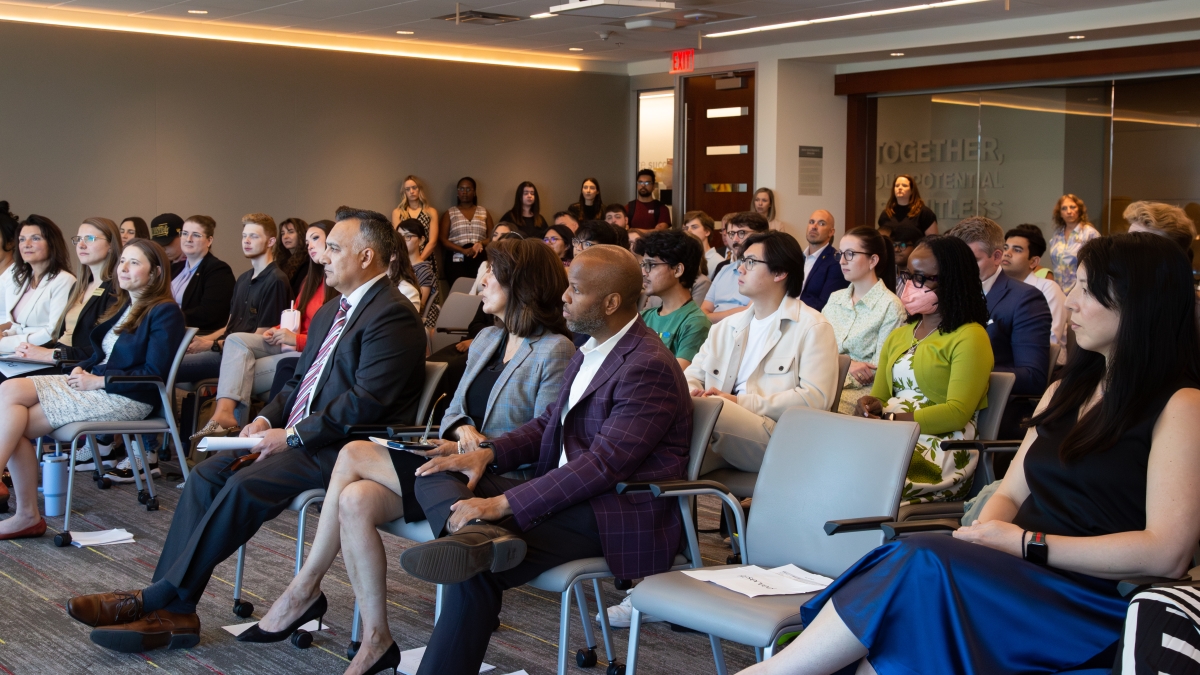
(719, 144)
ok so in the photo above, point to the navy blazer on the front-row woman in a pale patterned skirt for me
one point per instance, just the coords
(151, 350)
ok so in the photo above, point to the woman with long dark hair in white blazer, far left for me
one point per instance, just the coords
(38, 288)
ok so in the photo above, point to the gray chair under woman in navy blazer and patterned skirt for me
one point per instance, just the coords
(165, 423)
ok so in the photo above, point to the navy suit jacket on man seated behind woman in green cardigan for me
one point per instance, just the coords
(1019, 328)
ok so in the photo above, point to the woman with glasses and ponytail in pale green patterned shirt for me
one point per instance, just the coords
(865, 314)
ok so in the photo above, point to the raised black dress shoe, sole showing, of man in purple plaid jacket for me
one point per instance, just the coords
(458, 558)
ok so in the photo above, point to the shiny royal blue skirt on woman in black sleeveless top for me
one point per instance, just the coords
(932, 605)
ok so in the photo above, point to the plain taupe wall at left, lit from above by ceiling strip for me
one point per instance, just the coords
(111, 124)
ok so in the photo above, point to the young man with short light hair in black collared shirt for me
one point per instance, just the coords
(260, 297)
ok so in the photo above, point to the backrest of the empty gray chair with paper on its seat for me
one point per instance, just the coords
(823, 467)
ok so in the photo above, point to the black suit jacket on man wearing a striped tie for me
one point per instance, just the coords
(375, 377)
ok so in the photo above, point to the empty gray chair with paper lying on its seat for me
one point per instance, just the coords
(848, 468)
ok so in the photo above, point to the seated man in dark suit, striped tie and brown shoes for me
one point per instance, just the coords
(367, 369)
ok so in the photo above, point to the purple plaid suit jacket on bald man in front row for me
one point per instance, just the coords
(632, 423)
